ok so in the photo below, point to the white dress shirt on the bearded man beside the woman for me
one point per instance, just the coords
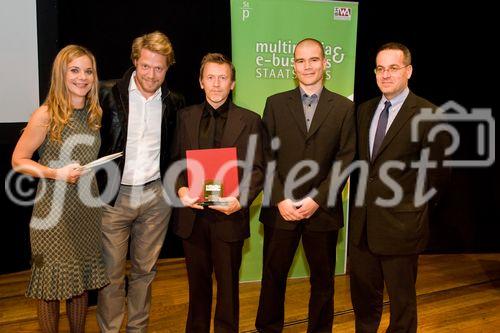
(142, 158)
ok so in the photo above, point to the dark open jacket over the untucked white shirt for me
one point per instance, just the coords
(113, 98)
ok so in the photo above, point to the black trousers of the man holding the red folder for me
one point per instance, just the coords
(205, 253)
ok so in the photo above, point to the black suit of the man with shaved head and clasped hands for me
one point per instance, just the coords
(331, 138)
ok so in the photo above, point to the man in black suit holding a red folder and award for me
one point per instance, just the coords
(215, 220)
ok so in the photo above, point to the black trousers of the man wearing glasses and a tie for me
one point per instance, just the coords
(368, 273)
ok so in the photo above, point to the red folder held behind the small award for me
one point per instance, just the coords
(220, 165)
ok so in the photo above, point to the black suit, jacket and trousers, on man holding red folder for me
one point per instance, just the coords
(213, 240)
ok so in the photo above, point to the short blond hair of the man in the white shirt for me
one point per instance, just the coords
(156, 42)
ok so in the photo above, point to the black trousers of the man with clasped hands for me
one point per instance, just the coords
(279, 250)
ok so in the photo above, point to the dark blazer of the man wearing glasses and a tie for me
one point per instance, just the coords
(404, 228)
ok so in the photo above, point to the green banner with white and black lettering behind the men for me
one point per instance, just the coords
(264, 35)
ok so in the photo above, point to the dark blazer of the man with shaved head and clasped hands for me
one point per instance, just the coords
(331, 138)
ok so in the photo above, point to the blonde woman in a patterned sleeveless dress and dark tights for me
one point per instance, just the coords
(65, 225)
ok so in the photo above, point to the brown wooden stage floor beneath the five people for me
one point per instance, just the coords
(456, 293)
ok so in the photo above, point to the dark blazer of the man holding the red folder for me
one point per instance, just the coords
(240, 124)
